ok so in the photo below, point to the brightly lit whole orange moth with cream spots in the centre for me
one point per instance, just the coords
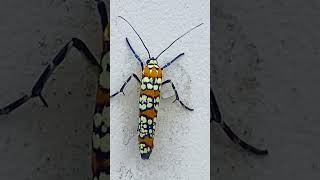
(151, 82)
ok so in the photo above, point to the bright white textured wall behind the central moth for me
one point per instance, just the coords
(182, 137)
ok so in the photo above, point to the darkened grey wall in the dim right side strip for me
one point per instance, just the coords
(265, 70)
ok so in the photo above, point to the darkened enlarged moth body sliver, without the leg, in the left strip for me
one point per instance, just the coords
(101, 119)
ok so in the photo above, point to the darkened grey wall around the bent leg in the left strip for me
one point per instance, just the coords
(47, 143)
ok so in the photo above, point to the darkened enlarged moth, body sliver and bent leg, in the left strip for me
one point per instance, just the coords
(101, 130)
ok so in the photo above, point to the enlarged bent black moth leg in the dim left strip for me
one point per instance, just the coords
(37, 88)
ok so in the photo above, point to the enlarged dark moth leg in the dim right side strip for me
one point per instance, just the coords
(216, 116)
